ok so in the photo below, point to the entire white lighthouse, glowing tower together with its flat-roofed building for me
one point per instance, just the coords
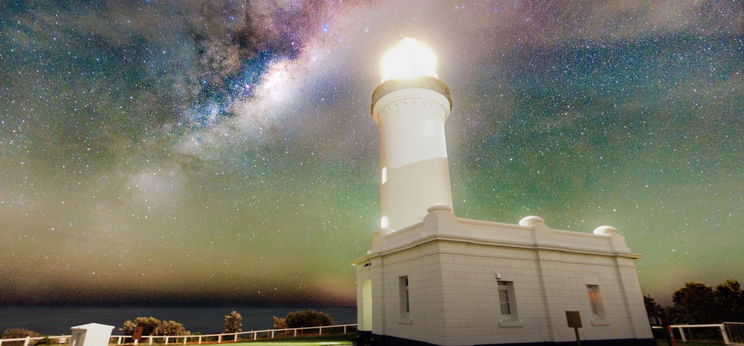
(433, 278)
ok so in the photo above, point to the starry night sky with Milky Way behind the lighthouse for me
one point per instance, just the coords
(208, 152)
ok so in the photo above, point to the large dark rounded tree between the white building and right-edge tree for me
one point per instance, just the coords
(696, 303)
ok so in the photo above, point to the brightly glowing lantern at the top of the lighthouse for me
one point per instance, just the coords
(408, 59)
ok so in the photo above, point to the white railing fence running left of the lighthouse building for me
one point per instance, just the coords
(204, 338)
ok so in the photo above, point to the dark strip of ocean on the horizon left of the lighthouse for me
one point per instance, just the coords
(57, 320)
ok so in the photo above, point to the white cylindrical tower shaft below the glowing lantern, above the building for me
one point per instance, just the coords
(413, 155)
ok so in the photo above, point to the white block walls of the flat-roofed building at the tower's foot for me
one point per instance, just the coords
(452, 267)
